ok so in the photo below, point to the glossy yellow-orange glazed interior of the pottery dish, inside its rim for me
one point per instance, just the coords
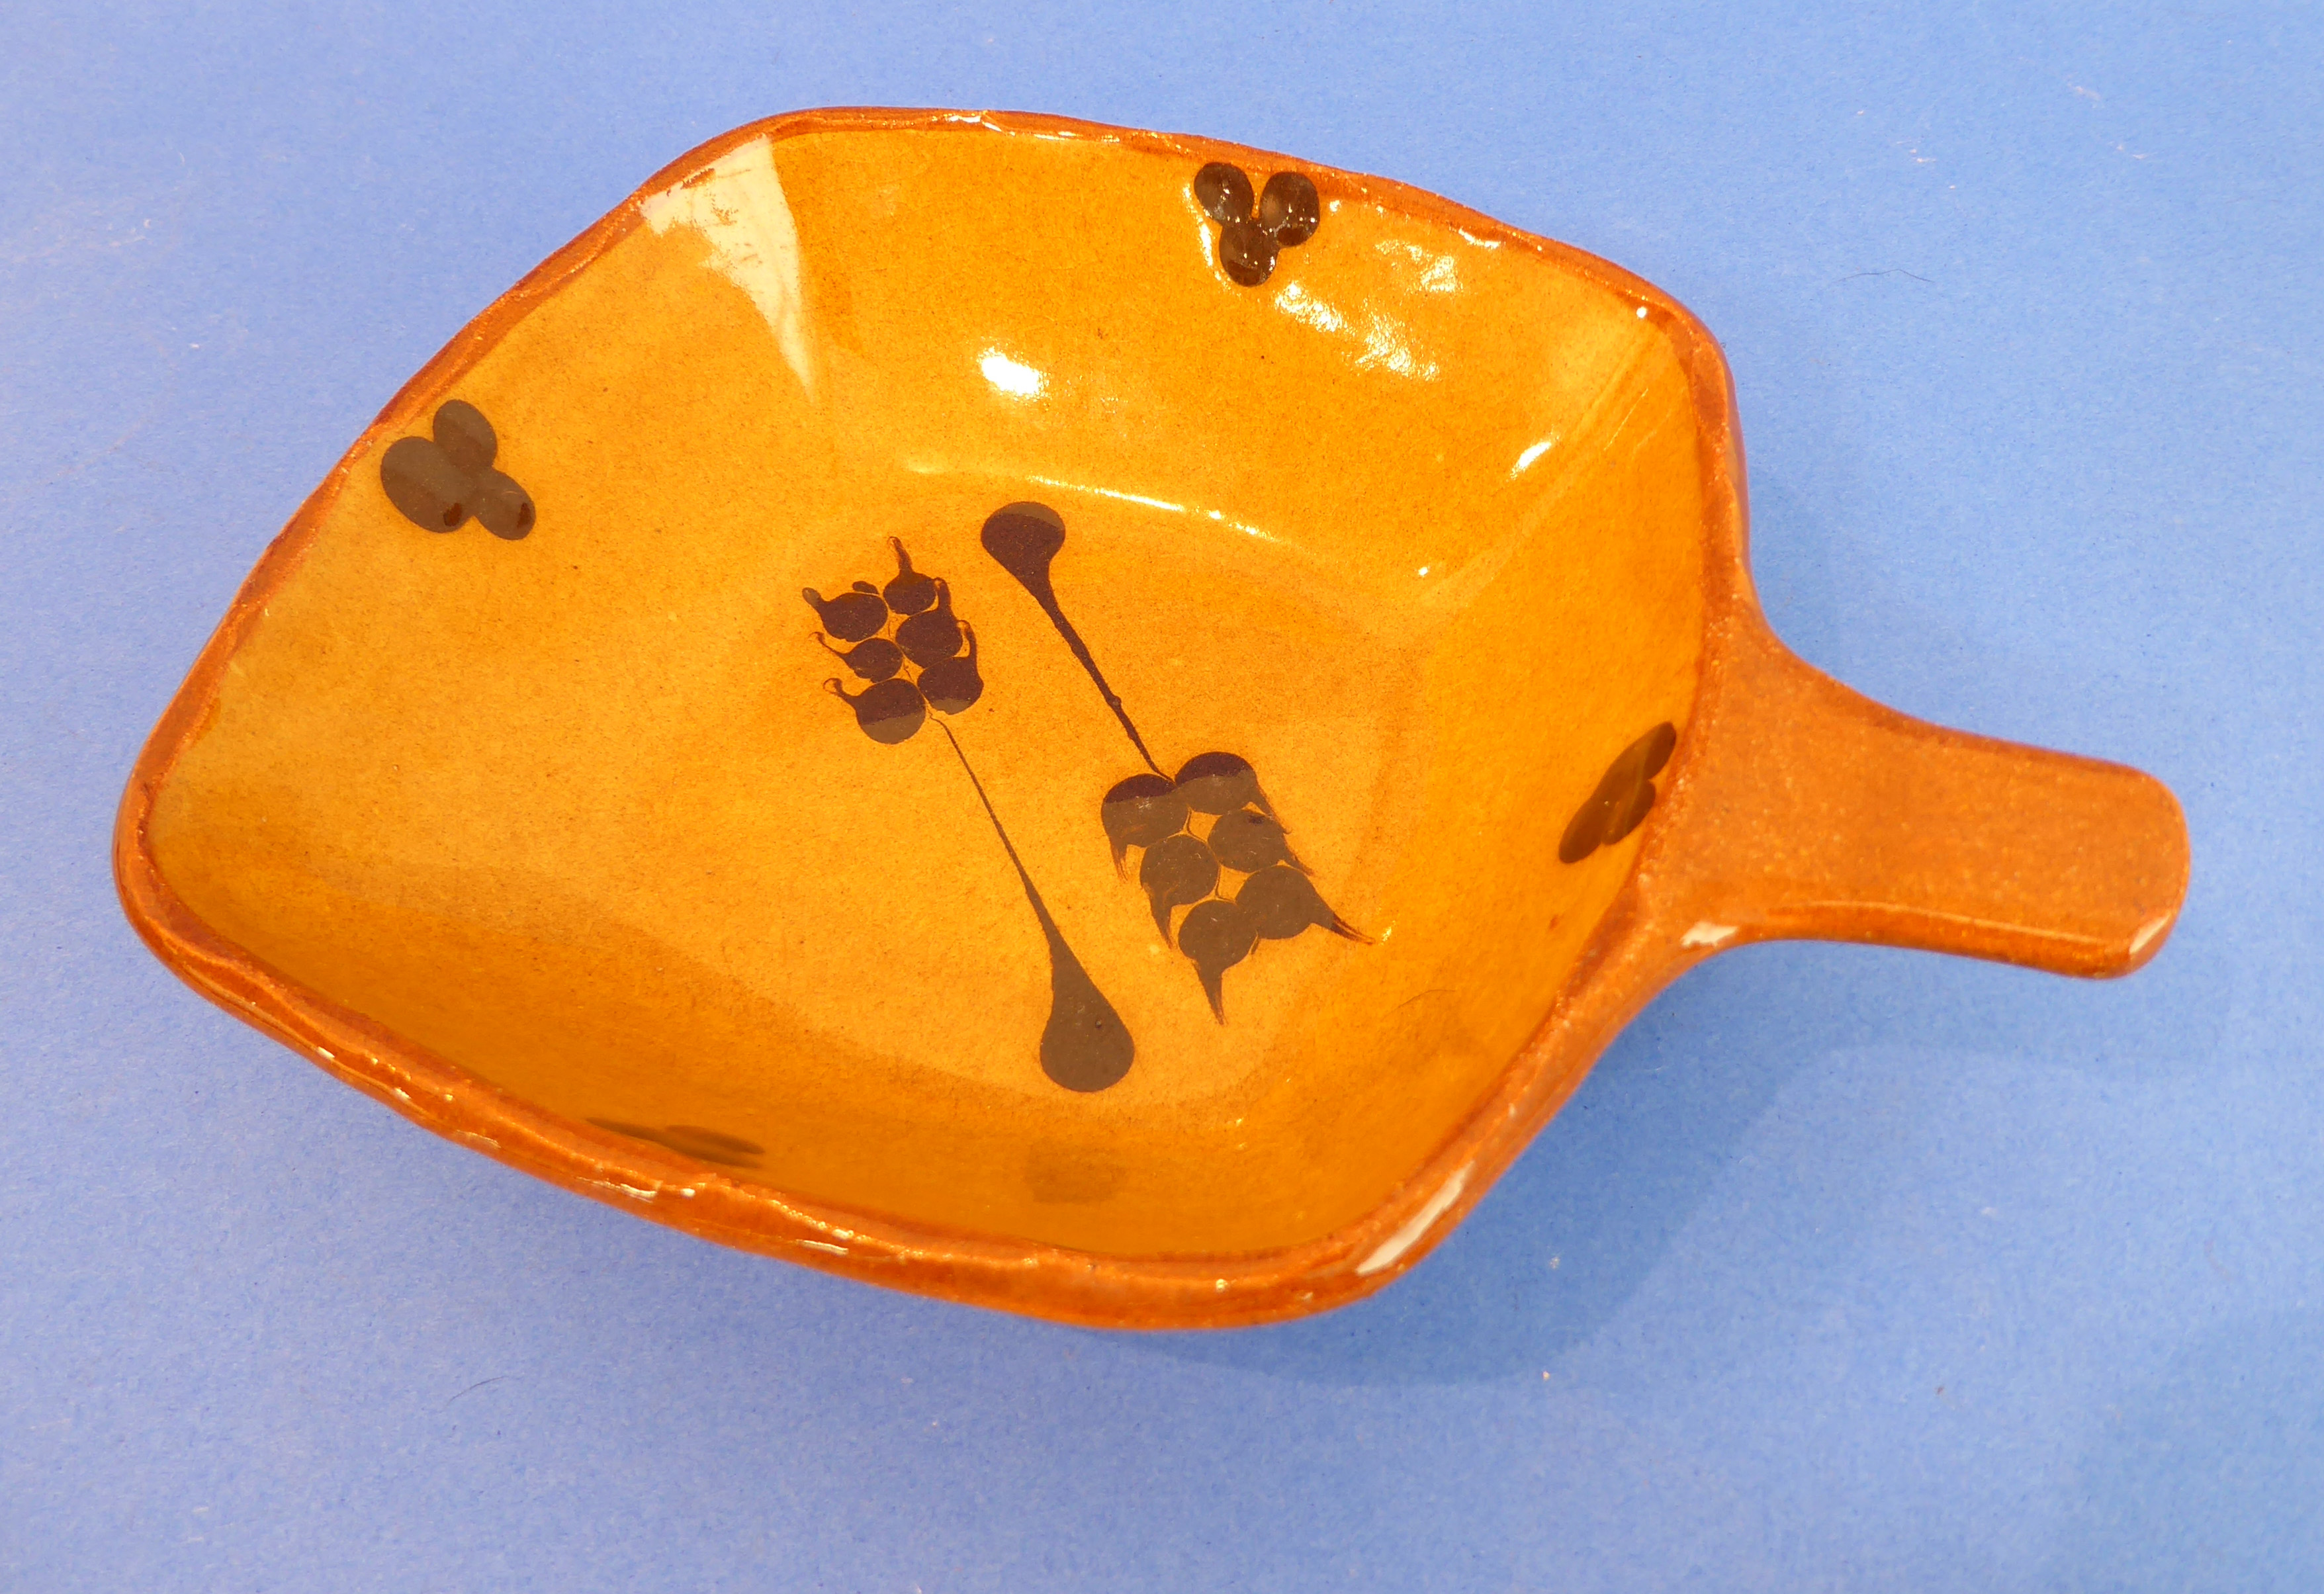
(1412, 529)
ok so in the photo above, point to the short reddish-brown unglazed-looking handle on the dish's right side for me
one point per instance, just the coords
(1819, 814)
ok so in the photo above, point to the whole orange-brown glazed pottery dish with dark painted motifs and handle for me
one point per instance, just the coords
(1070, 719)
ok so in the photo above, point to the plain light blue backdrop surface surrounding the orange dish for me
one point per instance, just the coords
(1849, 1270)
